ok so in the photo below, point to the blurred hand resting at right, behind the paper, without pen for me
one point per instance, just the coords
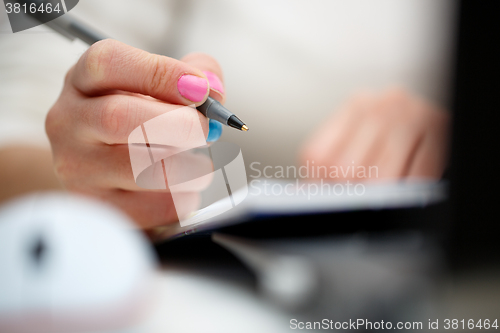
(389, 135)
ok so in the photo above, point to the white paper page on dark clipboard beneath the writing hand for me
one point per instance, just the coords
(374, 196)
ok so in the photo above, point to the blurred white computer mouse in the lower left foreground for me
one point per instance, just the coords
(68, 263)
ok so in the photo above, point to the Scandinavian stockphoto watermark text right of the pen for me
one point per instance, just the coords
(310, 180)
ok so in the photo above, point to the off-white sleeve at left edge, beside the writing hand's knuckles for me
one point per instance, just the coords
(32, 66)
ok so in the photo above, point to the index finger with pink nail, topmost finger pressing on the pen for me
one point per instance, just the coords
(110, 65)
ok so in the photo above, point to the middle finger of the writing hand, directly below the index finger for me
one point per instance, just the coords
(118, 119)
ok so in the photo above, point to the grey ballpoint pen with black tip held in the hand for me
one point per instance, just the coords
(71, 28)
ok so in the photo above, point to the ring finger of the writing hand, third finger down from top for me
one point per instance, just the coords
(113, 163)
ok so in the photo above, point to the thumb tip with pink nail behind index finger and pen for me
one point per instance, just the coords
(212, 71)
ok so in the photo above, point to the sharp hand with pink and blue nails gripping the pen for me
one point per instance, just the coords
(113, 89)
